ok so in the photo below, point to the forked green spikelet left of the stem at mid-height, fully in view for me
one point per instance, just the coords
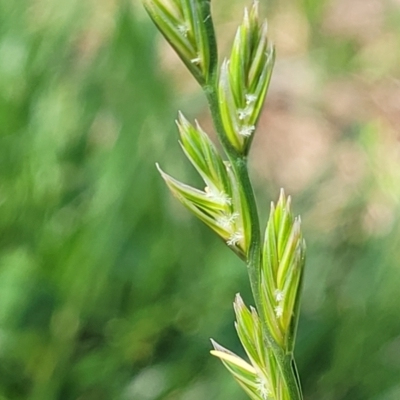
(219, 204)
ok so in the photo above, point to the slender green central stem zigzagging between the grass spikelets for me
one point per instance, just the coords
(239, 164)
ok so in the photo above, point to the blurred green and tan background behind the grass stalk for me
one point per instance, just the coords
(109, 289)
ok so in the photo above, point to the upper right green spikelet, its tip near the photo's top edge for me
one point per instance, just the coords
(244, 80)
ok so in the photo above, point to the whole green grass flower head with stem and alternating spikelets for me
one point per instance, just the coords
(275, 260)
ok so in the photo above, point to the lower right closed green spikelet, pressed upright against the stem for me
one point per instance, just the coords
(282, 270)
